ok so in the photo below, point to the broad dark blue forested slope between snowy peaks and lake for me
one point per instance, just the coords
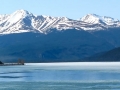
(68, 45)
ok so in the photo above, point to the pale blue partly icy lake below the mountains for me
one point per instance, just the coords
(57, 76)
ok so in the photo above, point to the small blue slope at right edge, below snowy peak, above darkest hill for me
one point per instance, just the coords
(111, 35)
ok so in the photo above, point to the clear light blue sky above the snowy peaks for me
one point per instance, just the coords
(73, 9)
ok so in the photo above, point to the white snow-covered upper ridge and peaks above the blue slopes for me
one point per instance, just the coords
(24, 21)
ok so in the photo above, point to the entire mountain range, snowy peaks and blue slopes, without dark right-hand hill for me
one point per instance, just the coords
(40, 38)
